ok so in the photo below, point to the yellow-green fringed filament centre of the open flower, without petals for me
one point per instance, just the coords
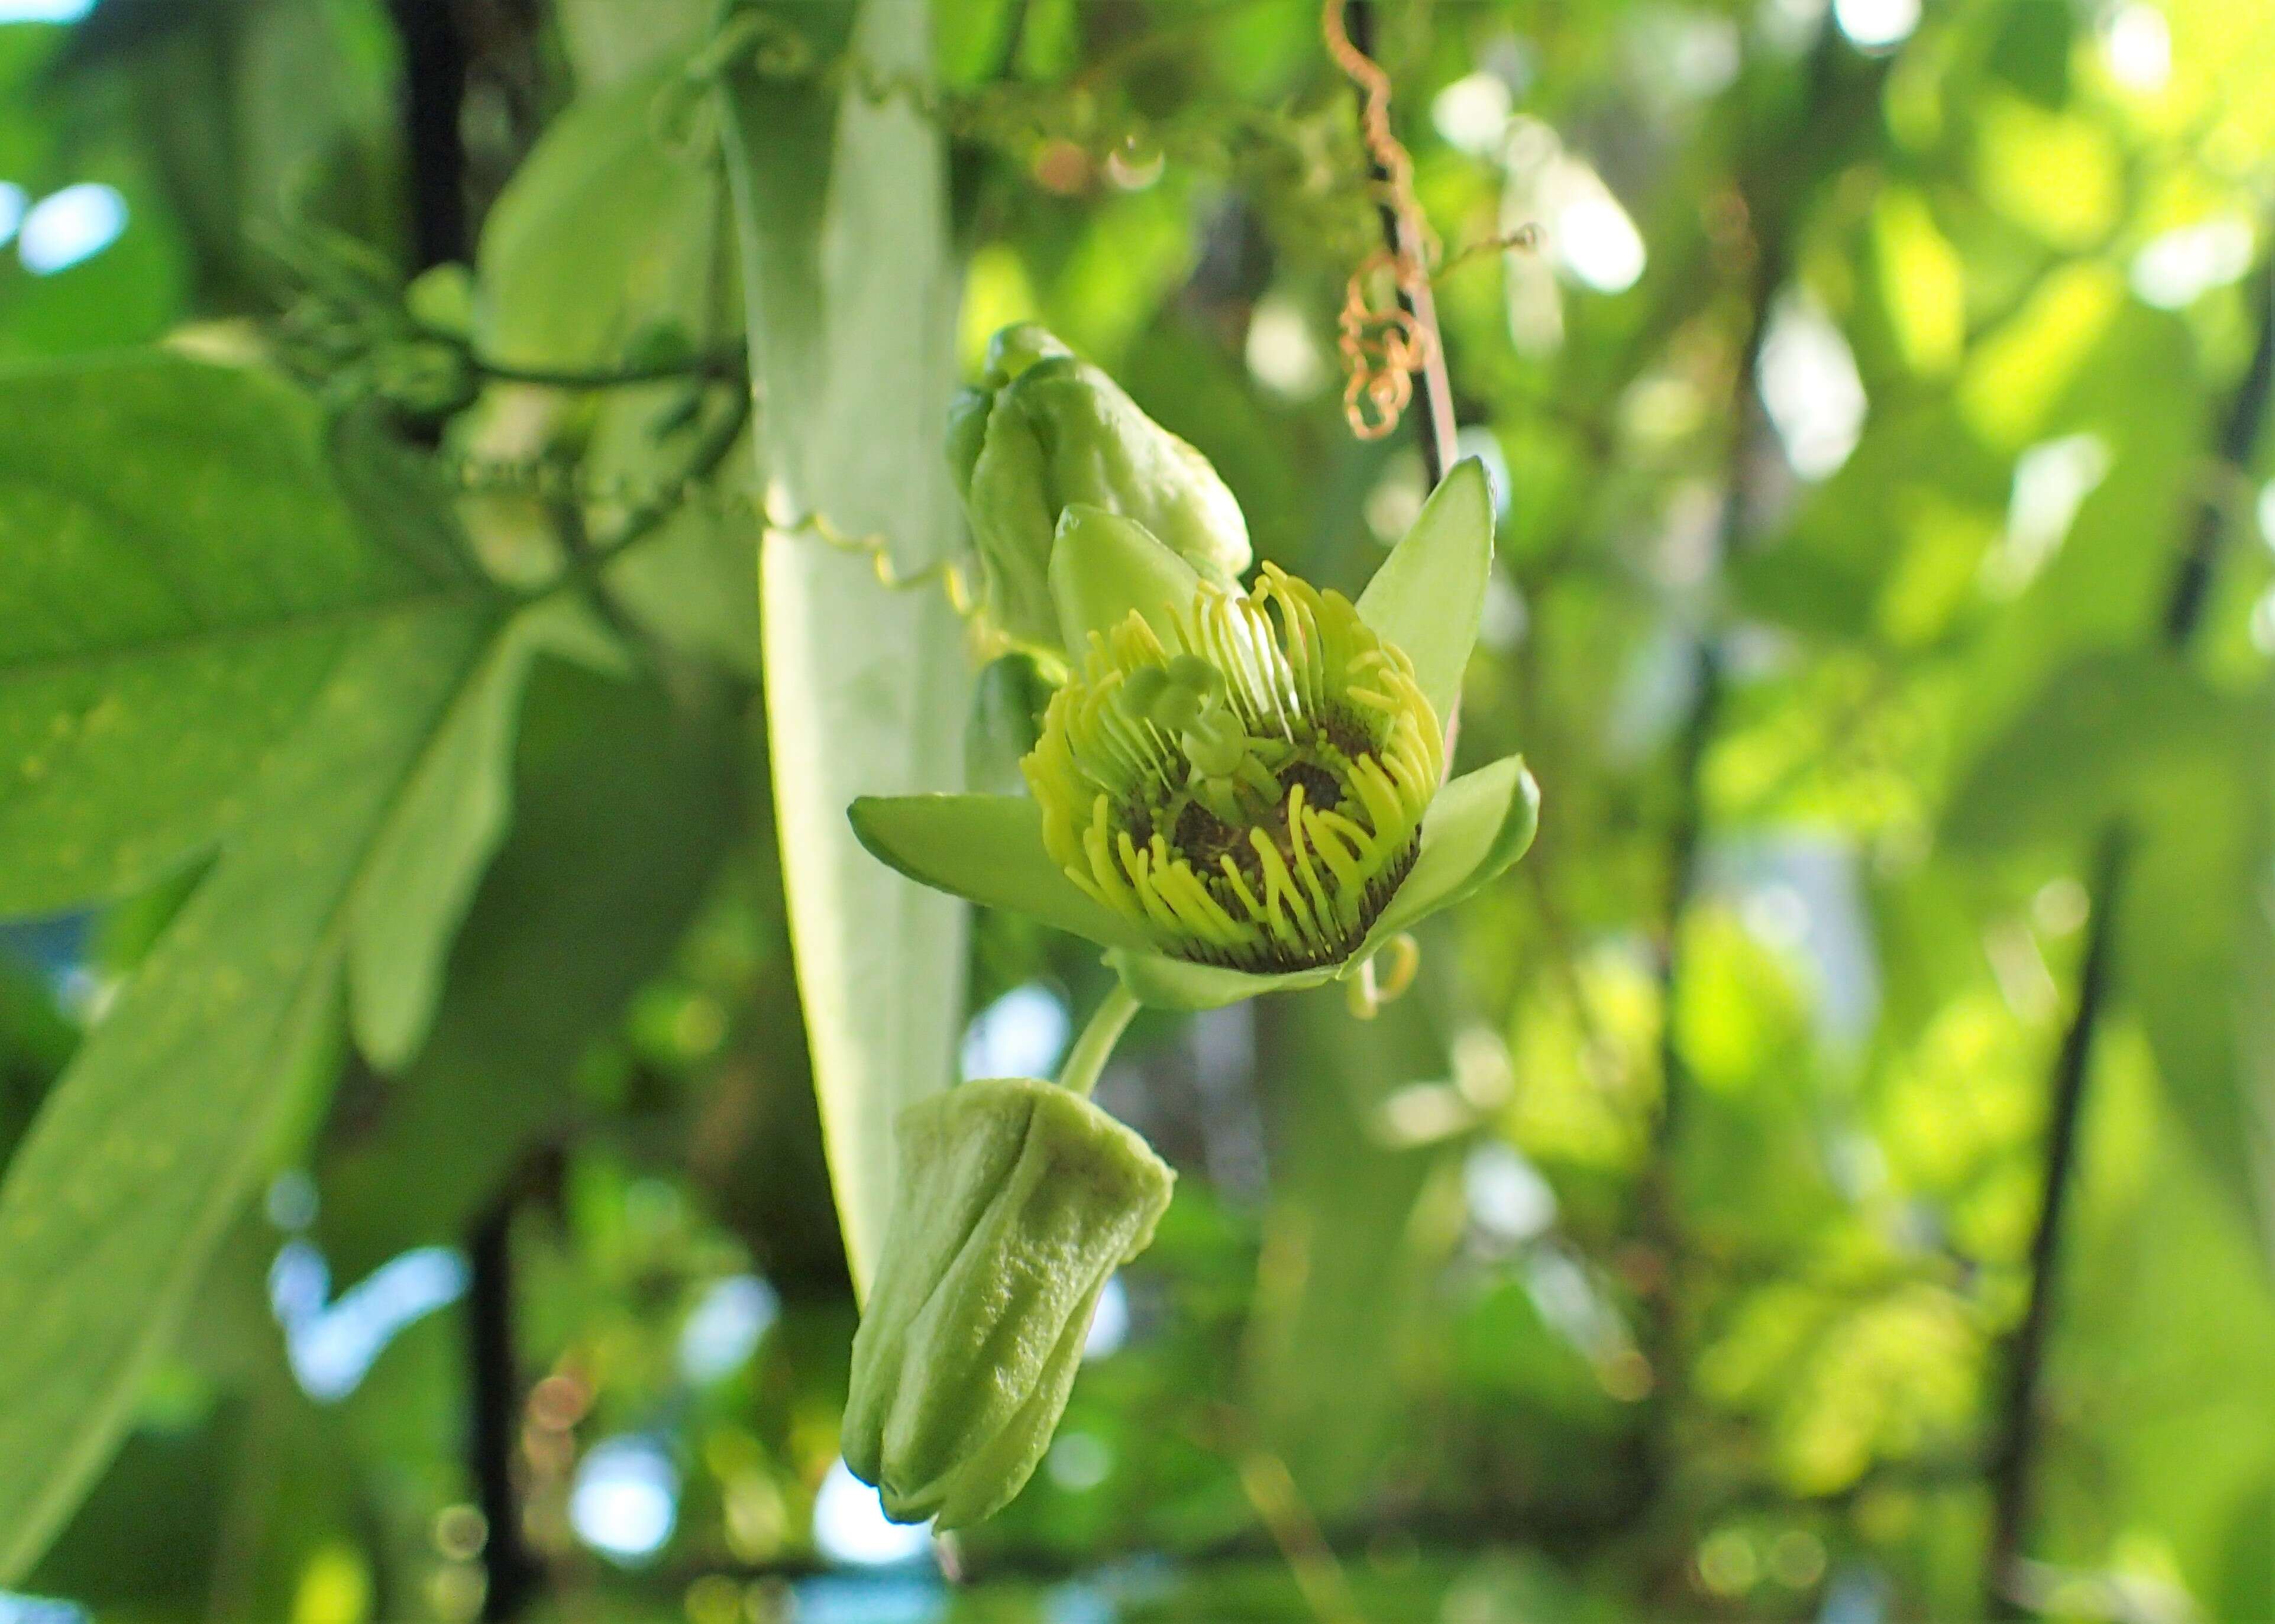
(1250, 786)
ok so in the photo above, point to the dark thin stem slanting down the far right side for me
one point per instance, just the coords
(2015, 1457)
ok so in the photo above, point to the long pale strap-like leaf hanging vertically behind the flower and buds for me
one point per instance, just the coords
(850, 292)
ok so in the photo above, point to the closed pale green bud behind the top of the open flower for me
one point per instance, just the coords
(1048, 429)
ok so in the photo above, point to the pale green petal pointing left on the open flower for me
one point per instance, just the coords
(986, 850)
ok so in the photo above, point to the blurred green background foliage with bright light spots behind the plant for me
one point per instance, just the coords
(1885, 606)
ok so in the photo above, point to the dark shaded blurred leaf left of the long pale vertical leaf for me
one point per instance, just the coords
(627, 806)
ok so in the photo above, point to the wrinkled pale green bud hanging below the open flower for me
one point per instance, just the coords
(1018, 1202)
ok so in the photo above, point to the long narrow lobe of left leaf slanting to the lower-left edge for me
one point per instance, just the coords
(181, 1097)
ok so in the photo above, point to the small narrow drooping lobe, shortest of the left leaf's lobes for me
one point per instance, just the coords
(442, 834)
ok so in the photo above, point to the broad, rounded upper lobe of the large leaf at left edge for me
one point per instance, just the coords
(181, 579)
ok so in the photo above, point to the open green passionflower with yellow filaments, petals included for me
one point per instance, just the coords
(1239, 793)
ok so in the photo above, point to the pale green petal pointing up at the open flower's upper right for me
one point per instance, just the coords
(1432, 590)
